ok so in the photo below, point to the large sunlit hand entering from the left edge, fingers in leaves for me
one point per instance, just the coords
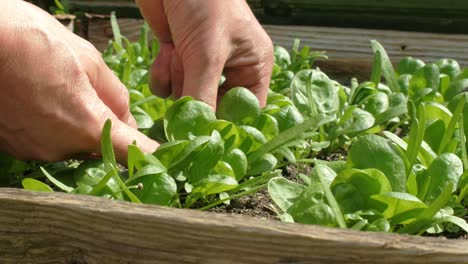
(56, 92)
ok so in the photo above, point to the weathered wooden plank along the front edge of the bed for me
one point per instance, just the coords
(64, 228)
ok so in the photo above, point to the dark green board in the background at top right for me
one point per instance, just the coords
(413, 15)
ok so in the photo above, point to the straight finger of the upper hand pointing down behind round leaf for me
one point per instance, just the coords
(201, 78)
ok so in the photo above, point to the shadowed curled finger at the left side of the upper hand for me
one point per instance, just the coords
(161, 71)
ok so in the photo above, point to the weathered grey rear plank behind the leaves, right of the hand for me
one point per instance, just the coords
(349, 49)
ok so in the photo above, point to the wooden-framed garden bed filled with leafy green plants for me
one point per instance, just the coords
(413, 188)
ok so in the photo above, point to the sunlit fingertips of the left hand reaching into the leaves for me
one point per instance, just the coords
(124, 135)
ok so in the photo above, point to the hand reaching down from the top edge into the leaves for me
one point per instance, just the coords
(200, 38)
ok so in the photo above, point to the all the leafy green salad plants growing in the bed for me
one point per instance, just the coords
(404, 165)
